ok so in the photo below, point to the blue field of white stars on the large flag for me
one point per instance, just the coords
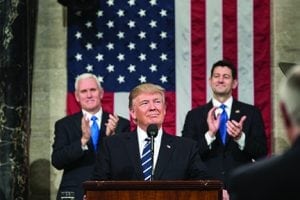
(133, 53)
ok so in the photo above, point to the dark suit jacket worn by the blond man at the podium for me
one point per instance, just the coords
(119, 159)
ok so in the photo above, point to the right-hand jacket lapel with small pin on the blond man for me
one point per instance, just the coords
(166, 149)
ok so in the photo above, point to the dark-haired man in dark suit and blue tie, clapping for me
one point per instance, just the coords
(244, 140)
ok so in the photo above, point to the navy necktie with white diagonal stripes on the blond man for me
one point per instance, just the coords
(147, 160)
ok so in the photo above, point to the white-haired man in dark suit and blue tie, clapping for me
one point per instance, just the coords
(73, 150)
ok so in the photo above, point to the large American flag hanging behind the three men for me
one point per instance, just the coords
(173, 44)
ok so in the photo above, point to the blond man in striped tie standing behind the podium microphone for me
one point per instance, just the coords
(175, 158)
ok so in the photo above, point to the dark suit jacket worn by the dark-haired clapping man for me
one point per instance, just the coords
(222, 159)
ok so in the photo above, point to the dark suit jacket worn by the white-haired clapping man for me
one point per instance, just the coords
(68, 155)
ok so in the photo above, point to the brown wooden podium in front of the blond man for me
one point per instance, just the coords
(153, 190)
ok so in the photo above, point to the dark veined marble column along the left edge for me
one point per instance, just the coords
(16, 56)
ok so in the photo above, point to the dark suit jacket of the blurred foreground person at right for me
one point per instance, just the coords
(270, 179)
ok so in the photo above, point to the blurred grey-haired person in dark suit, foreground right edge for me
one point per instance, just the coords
(277, 177)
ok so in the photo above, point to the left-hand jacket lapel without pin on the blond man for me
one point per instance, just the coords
(133, 150)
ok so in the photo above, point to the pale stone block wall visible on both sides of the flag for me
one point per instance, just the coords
(49, 86)
